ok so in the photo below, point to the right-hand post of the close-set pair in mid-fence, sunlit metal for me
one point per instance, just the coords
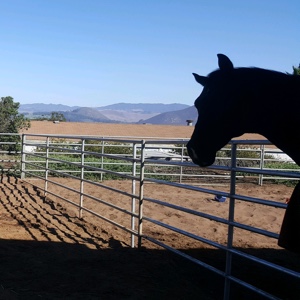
(141, 193)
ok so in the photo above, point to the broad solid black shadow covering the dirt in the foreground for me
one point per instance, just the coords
(54, 270)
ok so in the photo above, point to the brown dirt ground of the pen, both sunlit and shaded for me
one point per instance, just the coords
(47, 252)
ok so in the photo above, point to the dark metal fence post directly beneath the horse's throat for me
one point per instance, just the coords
(230, 221)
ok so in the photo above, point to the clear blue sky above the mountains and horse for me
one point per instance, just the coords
(94, 53)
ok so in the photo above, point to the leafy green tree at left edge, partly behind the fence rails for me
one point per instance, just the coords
(11, 122)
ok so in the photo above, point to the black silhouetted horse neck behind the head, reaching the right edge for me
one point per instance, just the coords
(271, 108)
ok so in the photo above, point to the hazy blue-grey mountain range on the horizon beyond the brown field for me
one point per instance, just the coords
(151, 113)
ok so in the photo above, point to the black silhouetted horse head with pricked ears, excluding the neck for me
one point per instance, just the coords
(216, 106)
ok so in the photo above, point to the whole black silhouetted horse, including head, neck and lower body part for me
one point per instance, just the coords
(235, 101)
